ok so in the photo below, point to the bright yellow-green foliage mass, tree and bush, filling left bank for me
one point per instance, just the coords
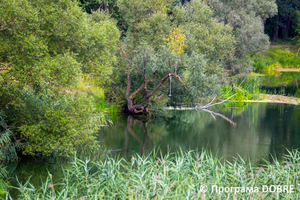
(47, 48)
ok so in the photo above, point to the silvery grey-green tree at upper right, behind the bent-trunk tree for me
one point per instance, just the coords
(246, 18)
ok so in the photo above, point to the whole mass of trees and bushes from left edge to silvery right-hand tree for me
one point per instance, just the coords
(55, 55)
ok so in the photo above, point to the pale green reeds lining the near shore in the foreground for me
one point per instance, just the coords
(175, 176)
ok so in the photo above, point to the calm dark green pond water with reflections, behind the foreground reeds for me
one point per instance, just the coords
(262, 131)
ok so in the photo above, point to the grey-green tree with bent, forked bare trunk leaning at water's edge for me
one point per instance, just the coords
(146, 61)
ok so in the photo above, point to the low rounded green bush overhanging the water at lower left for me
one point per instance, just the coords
(48, 123)
